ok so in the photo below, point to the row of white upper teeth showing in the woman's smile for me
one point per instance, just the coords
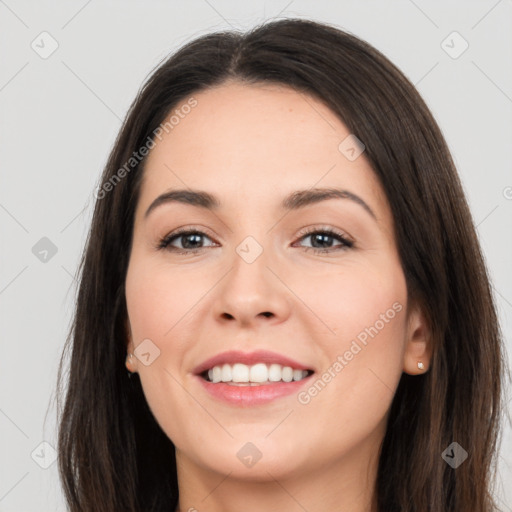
(258, 373)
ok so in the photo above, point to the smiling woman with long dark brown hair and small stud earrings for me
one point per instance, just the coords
(283, 259)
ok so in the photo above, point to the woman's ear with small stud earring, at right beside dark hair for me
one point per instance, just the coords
(418, 343)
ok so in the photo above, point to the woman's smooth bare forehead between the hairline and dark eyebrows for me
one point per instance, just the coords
(257, 142)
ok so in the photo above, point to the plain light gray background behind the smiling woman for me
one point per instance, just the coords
(60, 115)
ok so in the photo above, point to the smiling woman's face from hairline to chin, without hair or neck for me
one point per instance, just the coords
(266, 275)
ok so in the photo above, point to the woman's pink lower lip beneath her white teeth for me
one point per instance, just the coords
(246, 396)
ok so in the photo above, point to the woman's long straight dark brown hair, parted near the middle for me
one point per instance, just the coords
(112, 454)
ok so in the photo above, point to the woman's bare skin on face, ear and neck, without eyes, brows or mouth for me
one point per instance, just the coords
(251, 145)
